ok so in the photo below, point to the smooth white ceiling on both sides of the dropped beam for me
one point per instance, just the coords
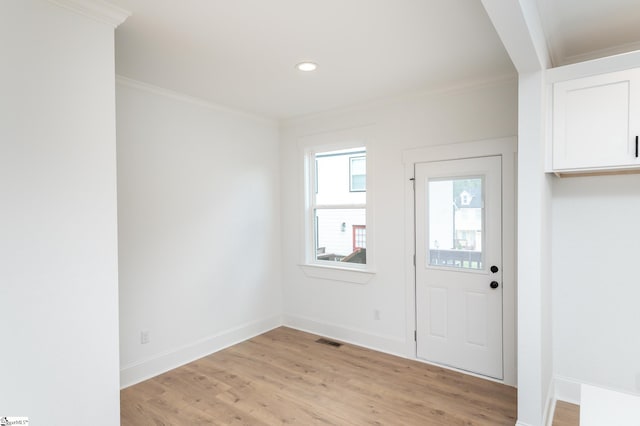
(242, 53)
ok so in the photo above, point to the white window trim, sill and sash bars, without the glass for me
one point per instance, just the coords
(347, 272)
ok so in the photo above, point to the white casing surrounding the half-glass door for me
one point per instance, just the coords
(507, 148)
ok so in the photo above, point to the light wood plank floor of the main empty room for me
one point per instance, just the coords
(285, 377)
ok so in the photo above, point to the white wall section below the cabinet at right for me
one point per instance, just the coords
(596, 289)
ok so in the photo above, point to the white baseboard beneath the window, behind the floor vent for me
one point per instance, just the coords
(387, 344)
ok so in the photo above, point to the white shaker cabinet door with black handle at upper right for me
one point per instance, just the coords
(596, 121)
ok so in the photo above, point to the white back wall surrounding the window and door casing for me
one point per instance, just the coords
(346, 310)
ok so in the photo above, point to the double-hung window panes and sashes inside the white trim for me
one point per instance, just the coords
(337, 208)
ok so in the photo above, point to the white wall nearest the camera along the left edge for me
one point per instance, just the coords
(58, 230)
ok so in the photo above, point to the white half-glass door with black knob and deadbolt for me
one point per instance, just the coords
(459, 264)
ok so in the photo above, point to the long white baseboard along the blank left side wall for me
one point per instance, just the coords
(139, 371)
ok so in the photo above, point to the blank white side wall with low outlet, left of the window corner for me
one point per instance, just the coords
(199, 234)
